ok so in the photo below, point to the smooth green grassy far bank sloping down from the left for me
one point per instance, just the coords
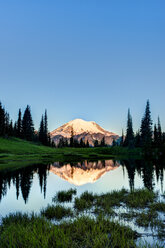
(16, 153)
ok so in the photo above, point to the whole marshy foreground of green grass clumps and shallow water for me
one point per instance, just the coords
(93, 222)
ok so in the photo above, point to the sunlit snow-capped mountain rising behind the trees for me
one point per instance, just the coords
(87, 130)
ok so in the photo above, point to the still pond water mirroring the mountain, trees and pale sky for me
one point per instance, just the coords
(32, 188)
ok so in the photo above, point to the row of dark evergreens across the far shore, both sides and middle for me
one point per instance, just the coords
(146, 137)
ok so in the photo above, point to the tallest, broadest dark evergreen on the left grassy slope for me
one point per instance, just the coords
(27, 125)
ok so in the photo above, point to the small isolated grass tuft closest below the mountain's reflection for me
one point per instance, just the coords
(64, 196)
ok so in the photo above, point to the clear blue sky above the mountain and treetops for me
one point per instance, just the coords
(90, 59)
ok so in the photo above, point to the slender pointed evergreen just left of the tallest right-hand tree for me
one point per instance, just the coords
(129, 139)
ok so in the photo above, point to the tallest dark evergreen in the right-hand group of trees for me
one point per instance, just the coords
(146, 128)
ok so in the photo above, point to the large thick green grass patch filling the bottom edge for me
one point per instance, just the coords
(34, 231)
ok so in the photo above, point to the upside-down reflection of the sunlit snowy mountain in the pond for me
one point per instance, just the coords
(84, 172)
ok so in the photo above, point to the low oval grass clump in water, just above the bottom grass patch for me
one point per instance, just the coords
(56, 212)
